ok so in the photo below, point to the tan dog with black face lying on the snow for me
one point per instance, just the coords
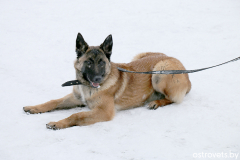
(105, 89)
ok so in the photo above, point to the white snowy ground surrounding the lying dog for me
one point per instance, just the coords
(37, 42)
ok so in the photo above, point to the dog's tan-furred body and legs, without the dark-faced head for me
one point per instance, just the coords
(121, 90)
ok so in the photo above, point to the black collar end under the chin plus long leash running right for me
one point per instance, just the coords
(77, 82)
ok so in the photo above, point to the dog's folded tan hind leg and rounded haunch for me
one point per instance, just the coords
(174, 86)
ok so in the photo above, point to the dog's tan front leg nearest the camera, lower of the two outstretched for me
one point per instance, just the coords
(103, 112)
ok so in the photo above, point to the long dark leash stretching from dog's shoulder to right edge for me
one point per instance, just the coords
(177, 71)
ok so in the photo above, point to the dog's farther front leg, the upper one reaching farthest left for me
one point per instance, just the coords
(68, 101)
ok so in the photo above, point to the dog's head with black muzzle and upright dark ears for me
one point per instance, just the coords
(93, 62)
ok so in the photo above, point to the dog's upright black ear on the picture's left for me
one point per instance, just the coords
(81, 45)
